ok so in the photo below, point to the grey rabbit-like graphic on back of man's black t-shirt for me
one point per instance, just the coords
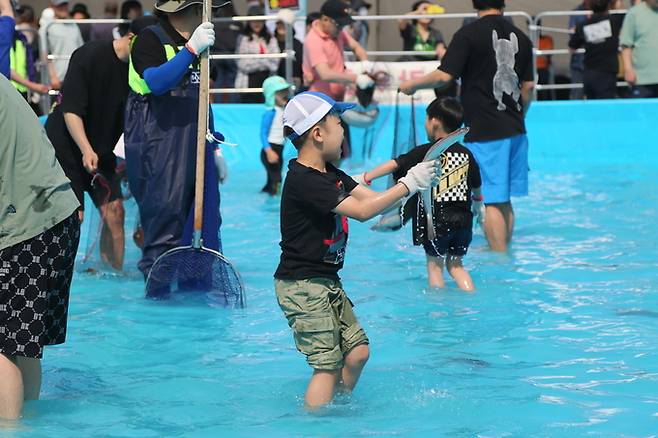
(506, 80)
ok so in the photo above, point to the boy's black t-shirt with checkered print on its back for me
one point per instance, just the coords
(460, 174)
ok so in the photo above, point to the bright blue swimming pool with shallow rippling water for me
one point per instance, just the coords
(559, 339)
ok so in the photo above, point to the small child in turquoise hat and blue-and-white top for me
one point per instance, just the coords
(276, 91)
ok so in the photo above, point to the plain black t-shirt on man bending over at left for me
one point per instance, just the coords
(95, 88)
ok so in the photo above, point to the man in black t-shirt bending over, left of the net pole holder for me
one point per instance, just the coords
(85, 126)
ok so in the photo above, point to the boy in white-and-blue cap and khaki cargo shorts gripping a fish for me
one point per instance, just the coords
(316, 201)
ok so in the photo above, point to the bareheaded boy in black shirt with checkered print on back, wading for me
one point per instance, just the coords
(453, 211)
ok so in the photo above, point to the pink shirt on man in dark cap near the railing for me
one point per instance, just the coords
(319, 48)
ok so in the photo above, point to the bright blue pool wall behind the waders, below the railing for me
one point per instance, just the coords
(563, 134)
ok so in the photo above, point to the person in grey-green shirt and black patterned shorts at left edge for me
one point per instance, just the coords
(39, 235)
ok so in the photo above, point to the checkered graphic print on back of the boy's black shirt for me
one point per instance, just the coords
(453, 185)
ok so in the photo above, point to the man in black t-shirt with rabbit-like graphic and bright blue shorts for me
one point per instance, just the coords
(494, 60)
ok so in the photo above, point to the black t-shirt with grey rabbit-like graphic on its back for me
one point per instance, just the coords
(492, 65)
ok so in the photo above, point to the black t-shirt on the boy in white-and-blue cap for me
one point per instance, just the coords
(313, 237)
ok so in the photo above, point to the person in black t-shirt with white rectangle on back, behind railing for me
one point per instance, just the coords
(599, 34)
